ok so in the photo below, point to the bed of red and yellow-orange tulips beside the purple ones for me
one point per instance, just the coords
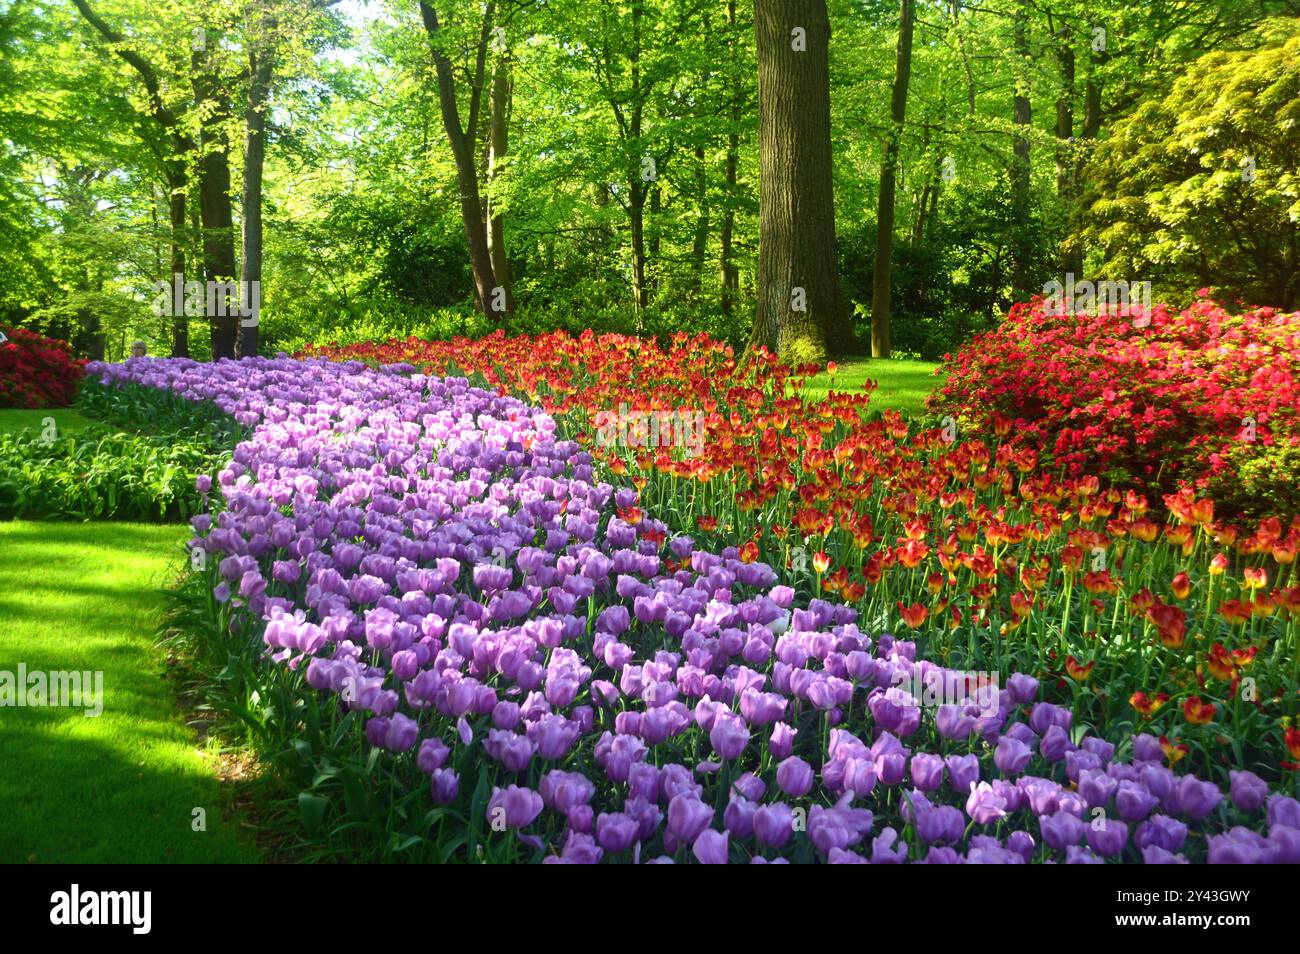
(1178, 623)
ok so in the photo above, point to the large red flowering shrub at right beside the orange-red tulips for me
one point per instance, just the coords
(1156, 400)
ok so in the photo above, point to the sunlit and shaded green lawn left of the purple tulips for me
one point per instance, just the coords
(122, 787)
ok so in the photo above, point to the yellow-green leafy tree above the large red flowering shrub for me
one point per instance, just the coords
(1202, 188)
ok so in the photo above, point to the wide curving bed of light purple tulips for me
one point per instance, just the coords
(458, 595)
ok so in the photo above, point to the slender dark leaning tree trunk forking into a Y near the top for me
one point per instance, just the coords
(461, 138)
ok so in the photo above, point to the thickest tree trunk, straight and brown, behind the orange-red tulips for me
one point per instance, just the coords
(801, 309)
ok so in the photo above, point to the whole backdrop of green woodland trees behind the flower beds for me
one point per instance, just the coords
(385, 167)
